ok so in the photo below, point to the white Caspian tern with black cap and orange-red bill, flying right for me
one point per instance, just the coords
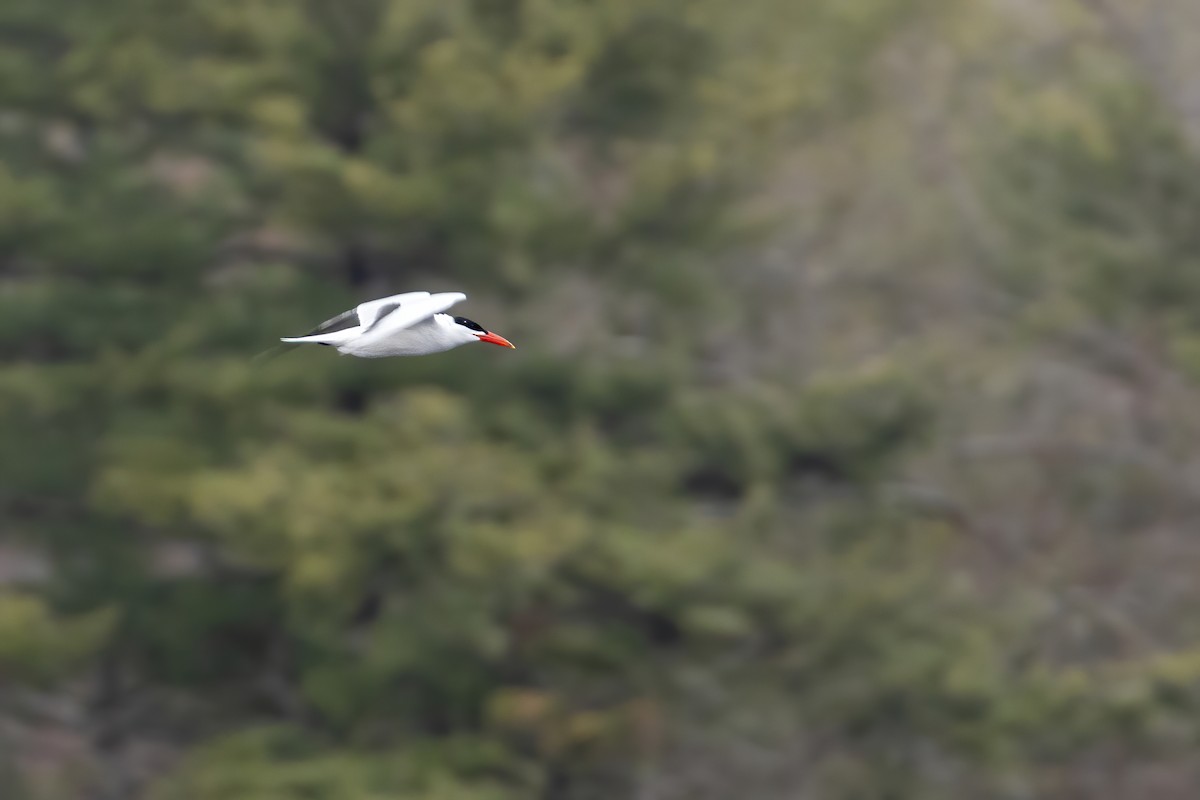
(405, 324)
